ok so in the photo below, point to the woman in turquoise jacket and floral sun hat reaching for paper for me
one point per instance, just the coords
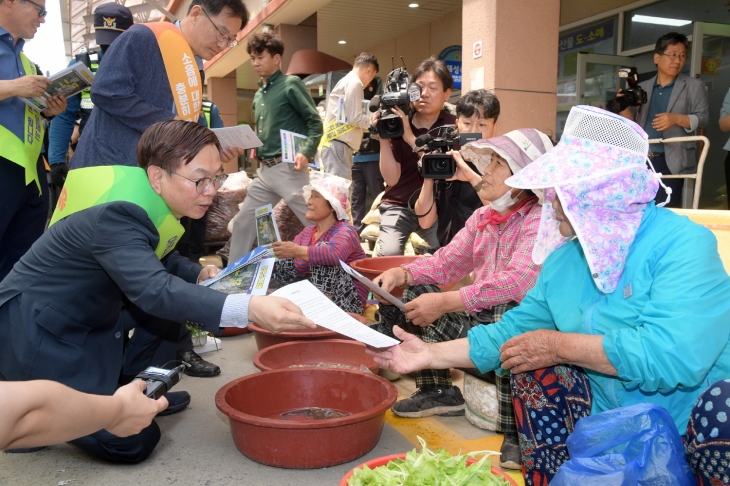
(632, 305)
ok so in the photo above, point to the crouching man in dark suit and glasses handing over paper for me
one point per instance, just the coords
(106, 265)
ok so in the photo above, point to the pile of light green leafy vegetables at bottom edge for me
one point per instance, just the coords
(429, 468)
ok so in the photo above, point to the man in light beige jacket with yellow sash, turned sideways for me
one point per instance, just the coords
(345, 119)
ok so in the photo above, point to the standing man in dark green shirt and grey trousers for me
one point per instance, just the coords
(281, 103)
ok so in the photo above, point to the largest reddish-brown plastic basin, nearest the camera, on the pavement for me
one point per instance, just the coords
(251, 402)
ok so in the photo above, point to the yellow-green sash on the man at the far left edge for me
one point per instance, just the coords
(25, 151)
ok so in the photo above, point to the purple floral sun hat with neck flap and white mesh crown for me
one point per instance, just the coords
(599, 172)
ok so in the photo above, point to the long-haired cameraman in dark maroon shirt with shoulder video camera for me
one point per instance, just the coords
(398, 160)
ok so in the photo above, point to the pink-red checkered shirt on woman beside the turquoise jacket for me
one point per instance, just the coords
(501, 260)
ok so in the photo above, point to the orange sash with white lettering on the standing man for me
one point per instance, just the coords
(182, 71)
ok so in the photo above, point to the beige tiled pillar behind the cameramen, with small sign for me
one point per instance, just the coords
(519, 58)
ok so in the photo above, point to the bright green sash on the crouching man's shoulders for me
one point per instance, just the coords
(91, 186)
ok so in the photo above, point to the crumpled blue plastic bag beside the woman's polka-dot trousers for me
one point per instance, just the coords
(636, 445)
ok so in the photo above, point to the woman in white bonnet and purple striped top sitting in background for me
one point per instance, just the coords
(316, 252)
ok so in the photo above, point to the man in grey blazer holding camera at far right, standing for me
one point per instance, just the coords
(676, 105)
